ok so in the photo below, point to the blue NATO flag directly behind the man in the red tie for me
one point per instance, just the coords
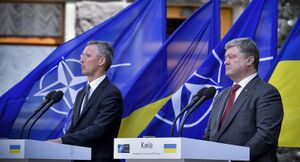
(212, 72)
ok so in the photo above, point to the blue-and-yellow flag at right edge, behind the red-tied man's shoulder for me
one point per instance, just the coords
(285, 77)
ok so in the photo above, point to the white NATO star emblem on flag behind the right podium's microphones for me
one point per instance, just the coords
(185, 93)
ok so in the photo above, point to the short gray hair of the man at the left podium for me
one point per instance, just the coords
(104, 49)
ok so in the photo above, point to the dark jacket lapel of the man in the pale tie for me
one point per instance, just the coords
(94, 97)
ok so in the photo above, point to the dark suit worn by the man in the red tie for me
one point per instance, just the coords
(254, 120)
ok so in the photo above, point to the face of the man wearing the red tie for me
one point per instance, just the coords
(235, 63)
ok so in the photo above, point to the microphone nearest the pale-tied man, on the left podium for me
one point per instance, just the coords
(57, 96)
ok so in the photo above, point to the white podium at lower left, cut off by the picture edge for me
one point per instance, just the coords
(19, 150)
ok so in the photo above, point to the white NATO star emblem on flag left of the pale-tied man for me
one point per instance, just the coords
(65, 76)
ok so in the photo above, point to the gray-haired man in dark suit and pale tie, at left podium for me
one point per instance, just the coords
(98, 107)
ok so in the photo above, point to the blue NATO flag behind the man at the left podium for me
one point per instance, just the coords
(135, 33)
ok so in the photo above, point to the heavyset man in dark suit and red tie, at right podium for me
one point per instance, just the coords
(250, 112)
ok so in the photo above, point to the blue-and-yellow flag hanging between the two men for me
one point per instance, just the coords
(169, 68)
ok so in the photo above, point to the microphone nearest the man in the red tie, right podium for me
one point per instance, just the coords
(208, 93)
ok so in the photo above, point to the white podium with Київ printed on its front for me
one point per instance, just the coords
(177, 150)
